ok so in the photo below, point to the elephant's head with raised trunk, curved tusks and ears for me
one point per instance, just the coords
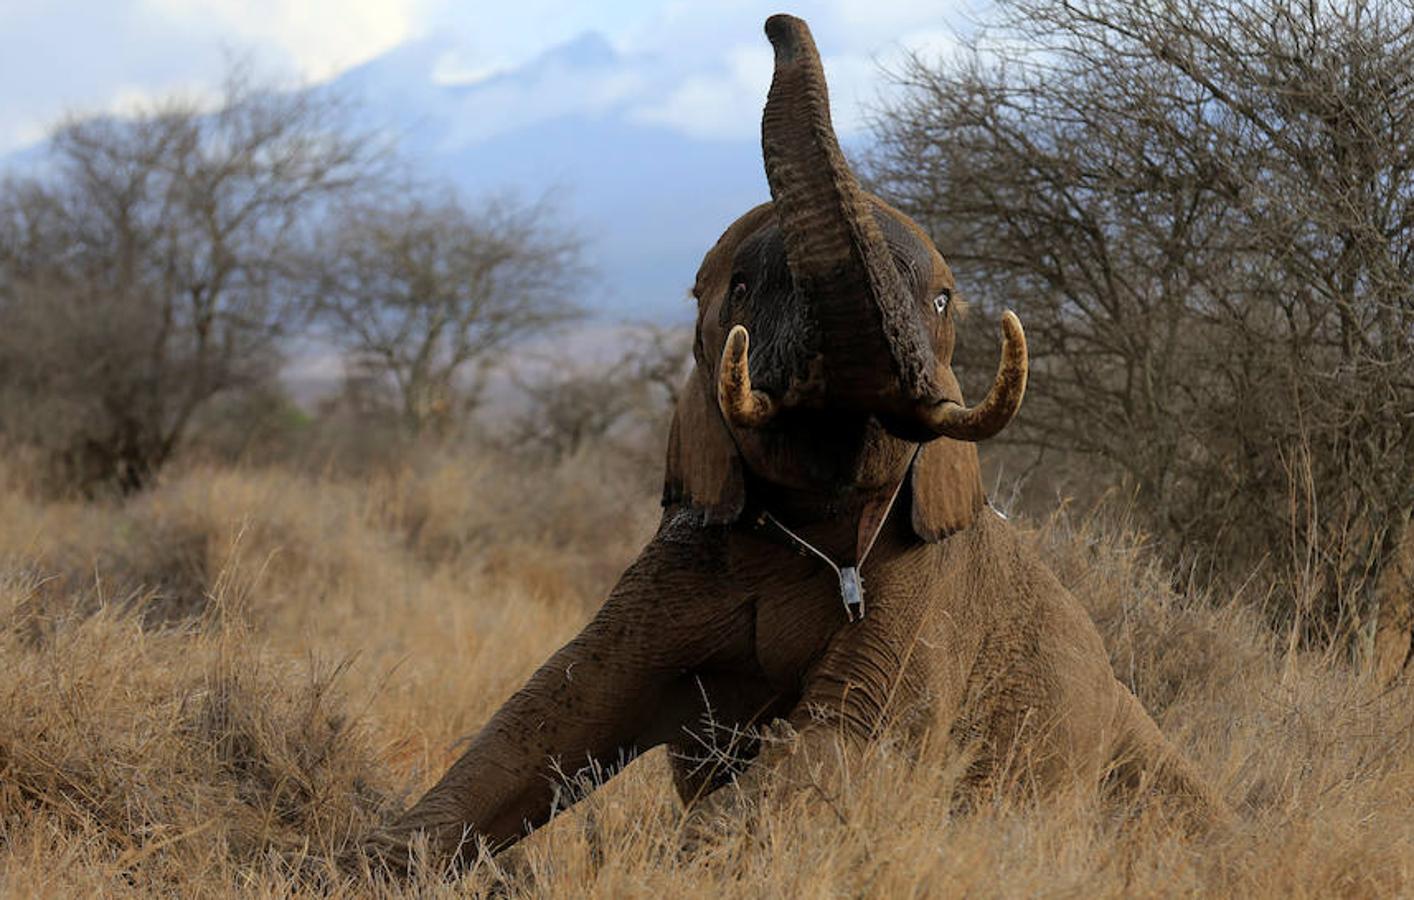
(825, 336)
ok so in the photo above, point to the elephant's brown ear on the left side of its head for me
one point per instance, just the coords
(703, 465)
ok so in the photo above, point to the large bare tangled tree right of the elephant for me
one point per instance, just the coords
(1205, 212)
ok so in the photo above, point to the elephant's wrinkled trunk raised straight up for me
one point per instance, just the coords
(839, 260)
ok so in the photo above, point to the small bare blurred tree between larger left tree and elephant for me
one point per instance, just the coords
(431, 295)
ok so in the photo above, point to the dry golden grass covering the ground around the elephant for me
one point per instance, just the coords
(214, 688)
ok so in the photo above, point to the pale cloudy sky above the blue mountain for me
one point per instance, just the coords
(90, 56)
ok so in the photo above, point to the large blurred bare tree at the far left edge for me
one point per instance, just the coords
(148, 270)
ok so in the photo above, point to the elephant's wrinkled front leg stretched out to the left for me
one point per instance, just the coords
(593, 707)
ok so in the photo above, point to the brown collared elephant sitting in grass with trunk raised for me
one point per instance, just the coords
(826, 555)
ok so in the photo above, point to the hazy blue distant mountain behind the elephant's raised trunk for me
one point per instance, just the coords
(572, 125)
